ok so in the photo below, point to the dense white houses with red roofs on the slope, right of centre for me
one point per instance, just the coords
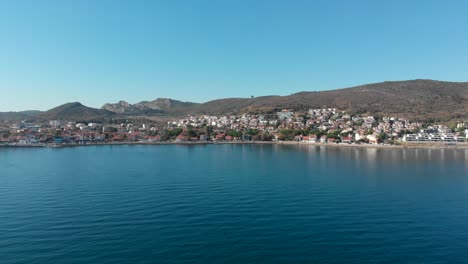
(325, 125)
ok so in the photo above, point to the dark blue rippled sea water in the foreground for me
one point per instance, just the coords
(233, 204)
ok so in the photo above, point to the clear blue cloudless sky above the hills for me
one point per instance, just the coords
(52, 52)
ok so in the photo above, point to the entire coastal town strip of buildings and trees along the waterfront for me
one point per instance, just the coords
(325, 125)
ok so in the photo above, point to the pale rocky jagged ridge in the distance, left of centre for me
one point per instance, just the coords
(158, 106)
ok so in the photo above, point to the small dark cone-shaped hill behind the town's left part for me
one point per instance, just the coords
(75, 111)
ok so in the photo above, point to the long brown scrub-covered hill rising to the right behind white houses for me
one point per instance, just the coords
(423, 100)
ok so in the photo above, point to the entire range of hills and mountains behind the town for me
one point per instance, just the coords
(420, 100)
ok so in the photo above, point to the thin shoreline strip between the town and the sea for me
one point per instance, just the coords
(429, 145)
